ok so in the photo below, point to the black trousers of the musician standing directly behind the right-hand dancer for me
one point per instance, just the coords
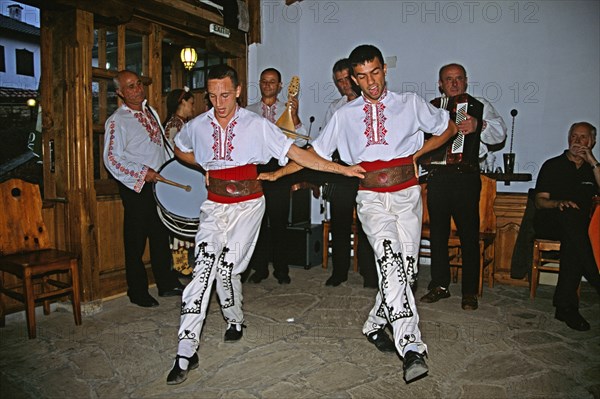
(342, 203)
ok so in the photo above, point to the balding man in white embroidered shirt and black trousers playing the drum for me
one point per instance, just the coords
(134, 150)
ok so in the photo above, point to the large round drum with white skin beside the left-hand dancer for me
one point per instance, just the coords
(179, 209)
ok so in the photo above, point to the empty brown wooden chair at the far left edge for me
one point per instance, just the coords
(26, 253)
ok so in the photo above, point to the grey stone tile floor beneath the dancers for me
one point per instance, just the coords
(304, 340)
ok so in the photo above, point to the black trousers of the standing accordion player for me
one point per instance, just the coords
(454, 194)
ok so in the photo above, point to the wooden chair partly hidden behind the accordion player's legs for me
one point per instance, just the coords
(487, 234)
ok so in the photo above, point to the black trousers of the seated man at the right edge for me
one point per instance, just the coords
(570, 227)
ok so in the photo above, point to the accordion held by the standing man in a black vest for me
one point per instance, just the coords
(463, 149)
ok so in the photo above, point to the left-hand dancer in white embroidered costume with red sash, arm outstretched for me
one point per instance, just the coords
(228, 142)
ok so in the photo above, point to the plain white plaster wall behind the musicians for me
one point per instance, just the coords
(539, 57)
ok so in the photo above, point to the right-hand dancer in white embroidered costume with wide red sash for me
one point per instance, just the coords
(383, 132)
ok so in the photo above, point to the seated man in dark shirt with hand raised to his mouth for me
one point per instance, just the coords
(564, 191)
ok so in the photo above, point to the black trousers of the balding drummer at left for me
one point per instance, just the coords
(141, 222)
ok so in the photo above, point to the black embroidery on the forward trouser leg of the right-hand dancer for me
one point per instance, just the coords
(388, 261)
